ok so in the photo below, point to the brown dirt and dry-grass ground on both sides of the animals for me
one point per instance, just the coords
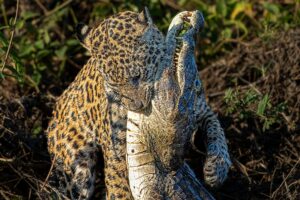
(265, 163)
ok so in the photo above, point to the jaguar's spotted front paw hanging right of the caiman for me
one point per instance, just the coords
(216, 169)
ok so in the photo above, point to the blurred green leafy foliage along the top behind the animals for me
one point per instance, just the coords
(44, 41)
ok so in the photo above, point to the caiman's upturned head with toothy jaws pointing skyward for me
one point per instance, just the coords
(178, 85)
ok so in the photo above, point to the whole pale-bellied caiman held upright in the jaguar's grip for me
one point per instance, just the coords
(156, 140)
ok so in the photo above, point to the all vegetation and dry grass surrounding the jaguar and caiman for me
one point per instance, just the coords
(249, 56)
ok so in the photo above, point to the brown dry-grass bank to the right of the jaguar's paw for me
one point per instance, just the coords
(265, 164)
